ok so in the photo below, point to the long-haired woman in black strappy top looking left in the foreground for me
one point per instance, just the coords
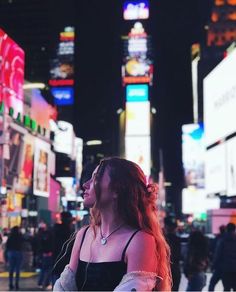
(123, 248)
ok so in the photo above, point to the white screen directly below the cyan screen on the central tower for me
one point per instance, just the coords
(137, 118)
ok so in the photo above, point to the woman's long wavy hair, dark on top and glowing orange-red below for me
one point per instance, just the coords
(136, 206)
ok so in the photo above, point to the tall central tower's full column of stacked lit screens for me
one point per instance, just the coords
(137, 73)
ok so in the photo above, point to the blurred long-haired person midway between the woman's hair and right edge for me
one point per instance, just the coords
(196, 261)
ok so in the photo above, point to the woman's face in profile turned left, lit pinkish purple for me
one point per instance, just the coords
(90, 195)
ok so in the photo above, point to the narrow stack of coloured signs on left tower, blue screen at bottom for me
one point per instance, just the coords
(62, 69)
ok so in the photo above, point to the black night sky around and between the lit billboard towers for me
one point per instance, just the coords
(173, 25)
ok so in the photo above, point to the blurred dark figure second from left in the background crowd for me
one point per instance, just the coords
(45, 253)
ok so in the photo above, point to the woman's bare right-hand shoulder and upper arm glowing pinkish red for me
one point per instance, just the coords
(141, 253)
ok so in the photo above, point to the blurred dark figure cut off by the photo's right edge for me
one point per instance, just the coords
(225, 256)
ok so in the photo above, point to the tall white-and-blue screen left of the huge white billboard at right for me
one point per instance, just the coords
(193, 149)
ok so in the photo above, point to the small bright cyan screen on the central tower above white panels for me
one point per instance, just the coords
(137, 92)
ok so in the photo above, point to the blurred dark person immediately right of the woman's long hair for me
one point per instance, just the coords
(175, 249)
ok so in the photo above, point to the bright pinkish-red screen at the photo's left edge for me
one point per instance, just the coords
(11, 72)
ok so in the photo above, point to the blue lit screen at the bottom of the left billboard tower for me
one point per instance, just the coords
(63, 95)
